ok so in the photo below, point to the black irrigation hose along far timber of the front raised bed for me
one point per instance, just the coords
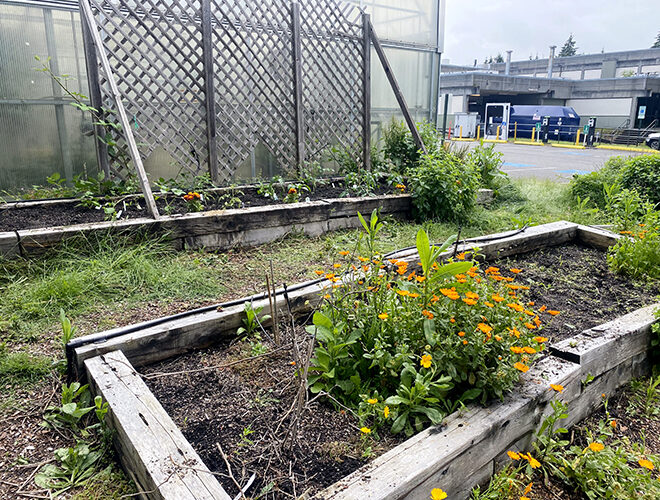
(100, 338)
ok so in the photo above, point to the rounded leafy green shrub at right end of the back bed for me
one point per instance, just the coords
(442, 187)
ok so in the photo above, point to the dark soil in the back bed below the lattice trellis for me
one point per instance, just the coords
(131, 207)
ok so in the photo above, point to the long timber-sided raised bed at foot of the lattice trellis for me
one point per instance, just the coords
(28, 228)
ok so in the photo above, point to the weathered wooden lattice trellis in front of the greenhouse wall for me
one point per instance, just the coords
(156, 49)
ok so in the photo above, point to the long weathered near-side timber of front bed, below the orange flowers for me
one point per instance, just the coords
(441, 456)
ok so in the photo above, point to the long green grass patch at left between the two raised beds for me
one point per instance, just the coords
(84, 273)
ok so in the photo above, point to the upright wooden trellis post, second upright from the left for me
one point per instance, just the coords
(209, 89)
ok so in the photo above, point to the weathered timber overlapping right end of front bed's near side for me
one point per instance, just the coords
(606, 346)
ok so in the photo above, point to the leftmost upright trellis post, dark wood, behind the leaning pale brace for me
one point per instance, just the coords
(92, 65)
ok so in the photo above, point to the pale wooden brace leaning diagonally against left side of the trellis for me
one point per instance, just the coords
(123, 118)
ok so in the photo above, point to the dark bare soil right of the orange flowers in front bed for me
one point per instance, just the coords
(576, 281)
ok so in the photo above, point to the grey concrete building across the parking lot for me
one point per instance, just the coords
(610, 86)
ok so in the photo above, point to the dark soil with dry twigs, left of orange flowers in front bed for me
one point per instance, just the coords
(246, 409)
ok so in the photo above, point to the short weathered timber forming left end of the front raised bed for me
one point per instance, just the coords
(152, 449)
